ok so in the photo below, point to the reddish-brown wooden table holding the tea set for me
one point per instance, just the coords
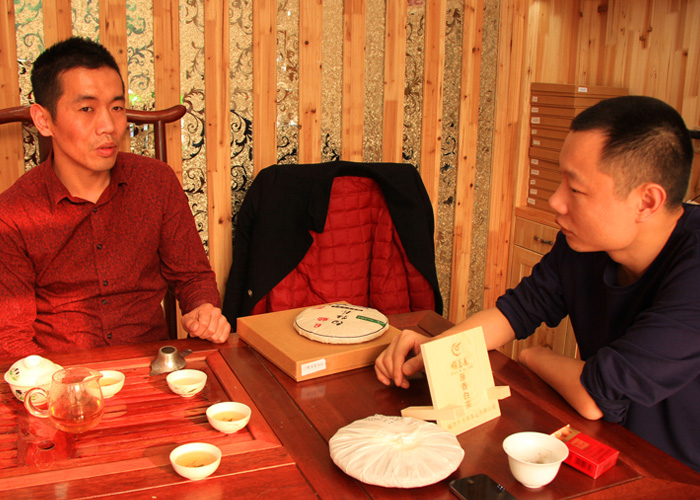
(284, 450)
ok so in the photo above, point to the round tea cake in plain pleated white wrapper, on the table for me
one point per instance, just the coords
(396, 452)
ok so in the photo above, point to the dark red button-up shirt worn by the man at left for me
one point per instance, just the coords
(76, 274)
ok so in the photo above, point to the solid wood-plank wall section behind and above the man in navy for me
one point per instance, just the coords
(651, 48)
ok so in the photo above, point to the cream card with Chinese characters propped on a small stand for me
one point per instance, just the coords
(461, 383)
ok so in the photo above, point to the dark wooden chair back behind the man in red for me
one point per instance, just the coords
(158, 119)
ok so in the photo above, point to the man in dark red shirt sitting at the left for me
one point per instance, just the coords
(91, 238)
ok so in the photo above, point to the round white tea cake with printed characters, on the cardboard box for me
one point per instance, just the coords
(341, 324)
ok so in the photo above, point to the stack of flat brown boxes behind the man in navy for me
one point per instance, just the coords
(552, 108)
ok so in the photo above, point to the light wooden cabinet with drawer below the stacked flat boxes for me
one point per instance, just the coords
(531, 240)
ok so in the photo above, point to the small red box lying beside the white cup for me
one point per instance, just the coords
(586, 454)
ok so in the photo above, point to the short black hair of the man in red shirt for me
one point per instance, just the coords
(71, 53)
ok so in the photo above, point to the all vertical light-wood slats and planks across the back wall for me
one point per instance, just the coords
(652, 48)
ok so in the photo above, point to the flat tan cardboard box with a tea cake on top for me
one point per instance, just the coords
(273, 335)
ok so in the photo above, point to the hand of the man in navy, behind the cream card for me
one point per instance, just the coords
(392, 365)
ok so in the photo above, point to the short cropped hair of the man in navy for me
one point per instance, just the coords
(646, 141)
